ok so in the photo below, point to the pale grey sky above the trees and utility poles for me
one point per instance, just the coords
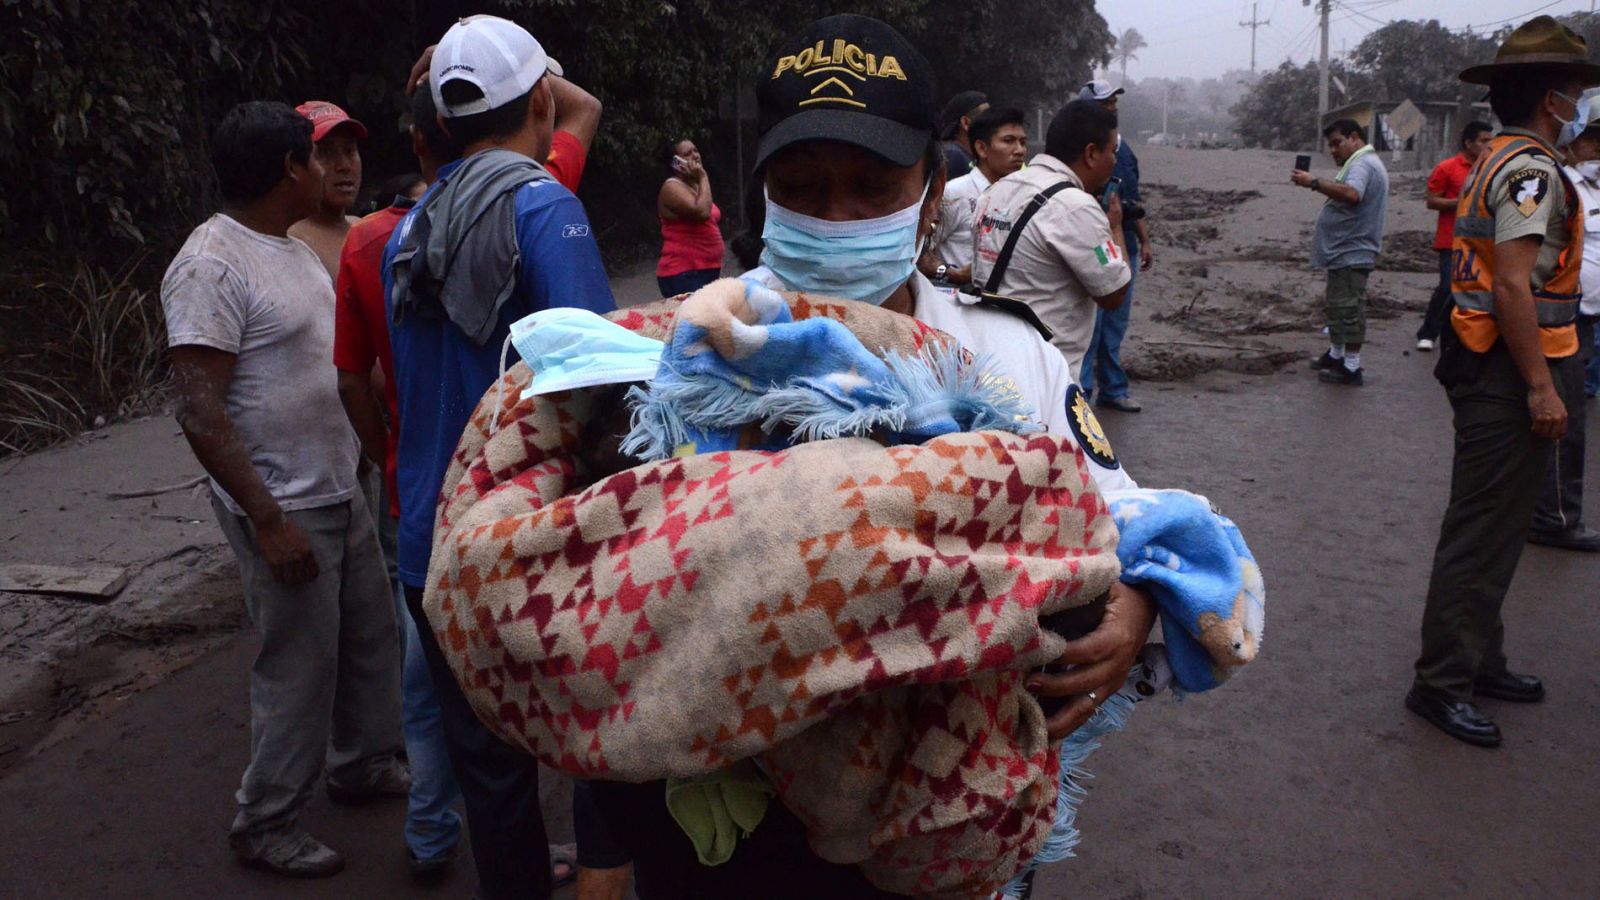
(1202, 39)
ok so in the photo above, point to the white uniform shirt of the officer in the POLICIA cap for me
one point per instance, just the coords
(1022, 355)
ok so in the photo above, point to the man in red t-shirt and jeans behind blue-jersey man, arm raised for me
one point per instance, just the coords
(362, 342)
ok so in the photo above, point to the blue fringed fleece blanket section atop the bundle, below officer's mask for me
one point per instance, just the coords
(734, 363)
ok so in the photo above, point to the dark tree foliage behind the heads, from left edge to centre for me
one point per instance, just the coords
(108, 106)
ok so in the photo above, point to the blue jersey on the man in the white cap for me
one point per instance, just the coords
(442, 374)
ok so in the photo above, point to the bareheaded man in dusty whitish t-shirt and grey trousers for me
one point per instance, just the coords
(250, 326)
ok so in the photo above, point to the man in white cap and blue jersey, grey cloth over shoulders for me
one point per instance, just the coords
(495, 239)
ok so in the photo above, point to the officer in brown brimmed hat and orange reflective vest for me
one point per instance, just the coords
(1516, 262)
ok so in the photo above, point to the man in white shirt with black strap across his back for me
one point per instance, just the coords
(1068, 259)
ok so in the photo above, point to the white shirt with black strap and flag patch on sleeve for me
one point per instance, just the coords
(1065, 259)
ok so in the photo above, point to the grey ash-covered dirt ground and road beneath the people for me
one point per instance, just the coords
(124, 726)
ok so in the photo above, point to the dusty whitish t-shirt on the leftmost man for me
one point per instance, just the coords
(270, 302)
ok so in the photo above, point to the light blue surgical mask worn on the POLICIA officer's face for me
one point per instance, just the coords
(865, 260)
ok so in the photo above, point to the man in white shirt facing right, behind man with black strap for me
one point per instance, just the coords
(1001, 143)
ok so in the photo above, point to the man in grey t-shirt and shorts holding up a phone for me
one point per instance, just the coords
(1350, 235)
